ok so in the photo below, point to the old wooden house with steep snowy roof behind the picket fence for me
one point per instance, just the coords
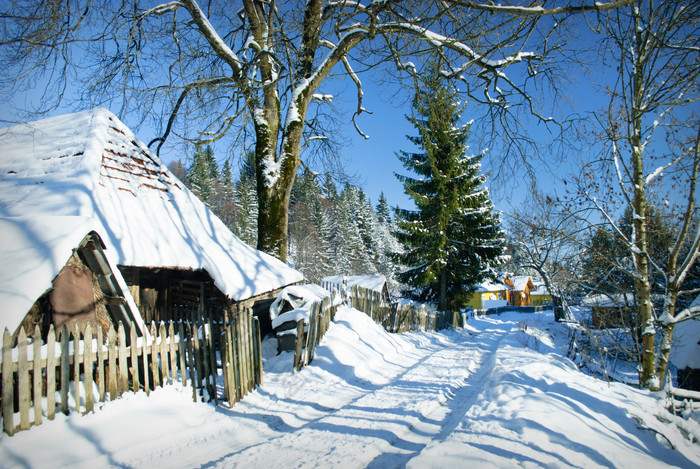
(168, 247)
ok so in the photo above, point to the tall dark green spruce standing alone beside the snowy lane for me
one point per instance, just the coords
(454, 236)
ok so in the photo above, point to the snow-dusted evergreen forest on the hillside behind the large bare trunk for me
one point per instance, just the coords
(332, 231)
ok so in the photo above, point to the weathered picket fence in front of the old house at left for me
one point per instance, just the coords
(73, 370)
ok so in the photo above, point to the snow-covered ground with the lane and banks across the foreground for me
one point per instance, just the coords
(499, 393)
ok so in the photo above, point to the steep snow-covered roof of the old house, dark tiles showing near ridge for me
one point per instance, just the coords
(88, 170)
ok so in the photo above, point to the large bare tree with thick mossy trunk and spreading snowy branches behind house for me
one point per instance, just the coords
(215, 67)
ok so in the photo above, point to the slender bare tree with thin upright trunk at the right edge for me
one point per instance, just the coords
(651, 138)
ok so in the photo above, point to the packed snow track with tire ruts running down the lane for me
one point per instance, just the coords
(388, 425)
